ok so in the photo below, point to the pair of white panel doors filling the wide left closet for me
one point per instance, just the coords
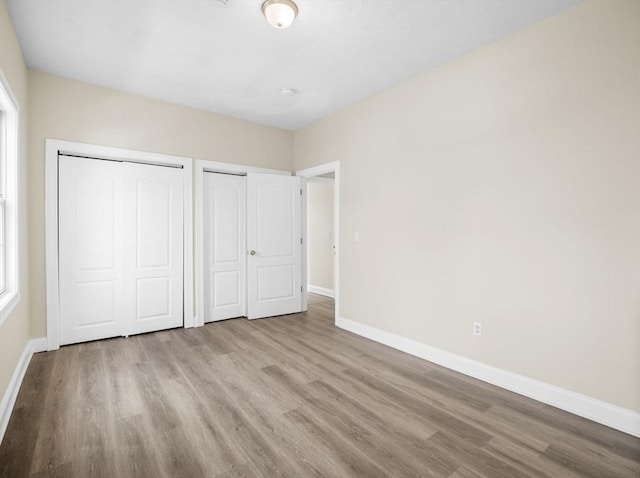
(120, 248)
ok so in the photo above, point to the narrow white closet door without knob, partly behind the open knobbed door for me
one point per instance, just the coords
(224, 246)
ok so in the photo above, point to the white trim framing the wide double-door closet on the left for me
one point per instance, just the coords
(52, 149)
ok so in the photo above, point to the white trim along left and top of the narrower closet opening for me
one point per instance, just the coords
(201, 166)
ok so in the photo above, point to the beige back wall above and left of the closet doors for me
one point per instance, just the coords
(74, 111)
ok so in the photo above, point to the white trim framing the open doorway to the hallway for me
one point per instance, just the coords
(308, 174)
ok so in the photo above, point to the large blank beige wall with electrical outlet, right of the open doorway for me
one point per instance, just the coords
(503, 187)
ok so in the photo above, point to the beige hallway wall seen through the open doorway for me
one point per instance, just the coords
(320, 234)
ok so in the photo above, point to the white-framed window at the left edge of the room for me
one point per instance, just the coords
(9, 154)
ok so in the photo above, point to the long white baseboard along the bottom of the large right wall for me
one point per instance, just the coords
(605, 413)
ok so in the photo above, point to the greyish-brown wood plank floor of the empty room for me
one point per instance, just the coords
(289, 396)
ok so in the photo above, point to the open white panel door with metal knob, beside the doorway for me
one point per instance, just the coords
(274, 241)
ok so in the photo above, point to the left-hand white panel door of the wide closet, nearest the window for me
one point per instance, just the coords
(90, 250)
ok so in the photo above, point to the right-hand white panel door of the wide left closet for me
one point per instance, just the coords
(153, 248)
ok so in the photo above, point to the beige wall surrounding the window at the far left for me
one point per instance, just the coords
(14, 332)
